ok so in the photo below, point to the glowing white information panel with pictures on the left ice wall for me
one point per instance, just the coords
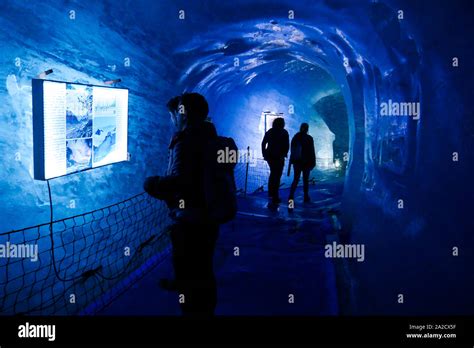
(77, 127)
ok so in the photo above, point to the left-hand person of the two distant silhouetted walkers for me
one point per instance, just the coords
(275, 146)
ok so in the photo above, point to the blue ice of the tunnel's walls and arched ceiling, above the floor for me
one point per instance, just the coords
(248, 56)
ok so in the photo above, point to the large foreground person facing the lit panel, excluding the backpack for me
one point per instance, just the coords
(193, 236)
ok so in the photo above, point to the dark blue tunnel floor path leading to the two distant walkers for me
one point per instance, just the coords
(280, 254)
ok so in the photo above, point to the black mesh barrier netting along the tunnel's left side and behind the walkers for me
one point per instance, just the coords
(82, 260)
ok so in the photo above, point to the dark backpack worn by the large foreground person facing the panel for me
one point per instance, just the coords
(220, 188)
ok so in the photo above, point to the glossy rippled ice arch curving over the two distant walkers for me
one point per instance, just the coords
(239, 53)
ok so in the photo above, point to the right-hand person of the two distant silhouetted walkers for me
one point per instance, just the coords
(303, 159)
